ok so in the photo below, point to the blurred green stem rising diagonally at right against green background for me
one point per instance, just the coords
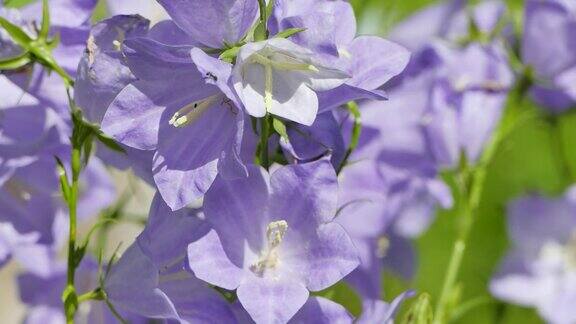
(471, 193)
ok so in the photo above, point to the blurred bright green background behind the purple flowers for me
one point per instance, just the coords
(538, 156)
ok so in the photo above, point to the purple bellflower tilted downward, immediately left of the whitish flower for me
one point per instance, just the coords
(182, 110)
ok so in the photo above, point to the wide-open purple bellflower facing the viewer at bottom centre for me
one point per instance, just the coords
(273, 239)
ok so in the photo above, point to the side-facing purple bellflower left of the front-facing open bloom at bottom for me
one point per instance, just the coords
(151, 278)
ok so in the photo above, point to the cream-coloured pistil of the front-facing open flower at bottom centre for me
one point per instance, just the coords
(269, 258)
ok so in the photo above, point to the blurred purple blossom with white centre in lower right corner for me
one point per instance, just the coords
(540, 269)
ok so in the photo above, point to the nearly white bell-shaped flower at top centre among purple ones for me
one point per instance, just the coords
(280, 77)
